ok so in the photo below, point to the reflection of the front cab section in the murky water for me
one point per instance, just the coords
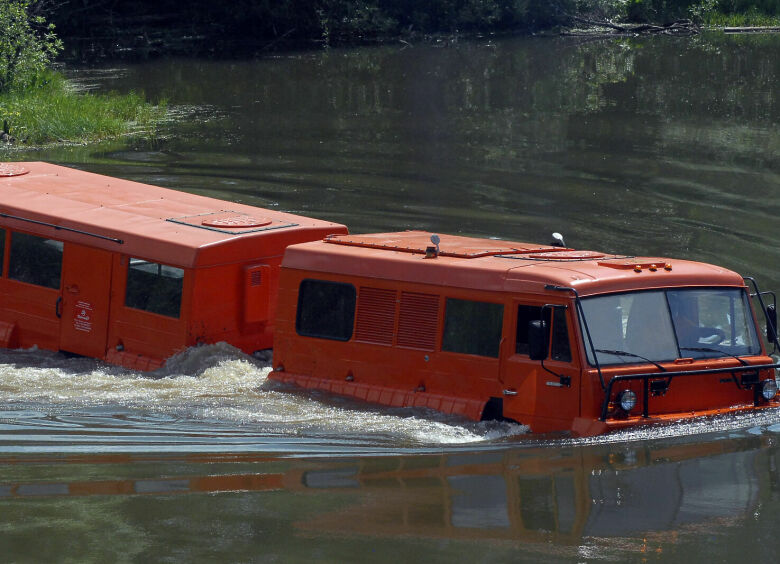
(537, 496)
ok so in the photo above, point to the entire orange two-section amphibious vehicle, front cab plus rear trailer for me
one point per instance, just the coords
(548, 336)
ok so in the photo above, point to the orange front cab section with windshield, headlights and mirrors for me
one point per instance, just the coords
(551, 337)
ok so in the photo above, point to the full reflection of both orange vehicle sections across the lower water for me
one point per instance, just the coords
(536, 494)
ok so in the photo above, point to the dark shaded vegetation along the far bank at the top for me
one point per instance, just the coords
(137, 29)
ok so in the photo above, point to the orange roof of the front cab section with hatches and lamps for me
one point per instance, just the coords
(488, 264)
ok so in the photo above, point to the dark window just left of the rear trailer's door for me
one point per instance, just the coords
(35, 260)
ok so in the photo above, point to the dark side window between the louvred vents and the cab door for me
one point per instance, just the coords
(472, 327)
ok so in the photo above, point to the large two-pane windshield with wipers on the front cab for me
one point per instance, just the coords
(663, 325)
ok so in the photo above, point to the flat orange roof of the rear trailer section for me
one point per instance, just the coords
(155, 223)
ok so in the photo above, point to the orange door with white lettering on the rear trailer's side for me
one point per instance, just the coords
(84, 303)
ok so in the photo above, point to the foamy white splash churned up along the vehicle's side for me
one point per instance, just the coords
(218, 387)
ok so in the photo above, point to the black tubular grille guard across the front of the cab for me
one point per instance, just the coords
(668, 376)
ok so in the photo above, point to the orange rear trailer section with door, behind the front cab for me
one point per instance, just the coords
(132, 273)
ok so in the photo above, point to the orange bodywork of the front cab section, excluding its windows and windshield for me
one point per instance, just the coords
(394, 352)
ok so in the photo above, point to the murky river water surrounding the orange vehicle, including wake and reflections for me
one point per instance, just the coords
(658, 146)
